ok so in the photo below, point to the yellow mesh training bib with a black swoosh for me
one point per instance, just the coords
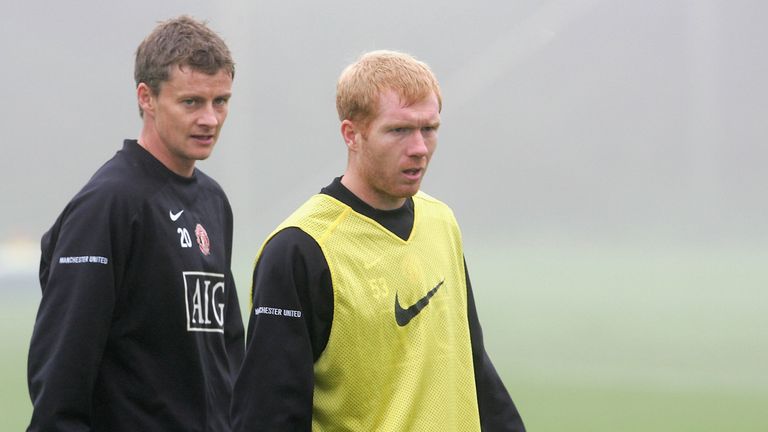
(374, 374)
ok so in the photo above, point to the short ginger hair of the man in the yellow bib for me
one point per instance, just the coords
(362, 82)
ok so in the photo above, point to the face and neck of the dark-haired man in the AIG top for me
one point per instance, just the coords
(188, 113)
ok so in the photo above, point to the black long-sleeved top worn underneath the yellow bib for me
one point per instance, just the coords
(274, 392)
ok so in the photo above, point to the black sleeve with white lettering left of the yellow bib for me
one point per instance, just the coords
(288, 329)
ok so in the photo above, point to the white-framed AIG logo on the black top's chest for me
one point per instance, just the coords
(206, 295)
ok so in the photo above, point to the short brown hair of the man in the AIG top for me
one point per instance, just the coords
(181, 41)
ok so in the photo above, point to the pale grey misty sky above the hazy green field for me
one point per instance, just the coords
(561, 119)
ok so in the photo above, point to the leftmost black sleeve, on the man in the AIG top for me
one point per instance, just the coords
(75, 313)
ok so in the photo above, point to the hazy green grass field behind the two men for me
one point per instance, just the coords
(587, 338)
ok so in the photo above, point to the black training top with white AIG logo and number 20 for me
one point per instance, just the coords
(139, 327)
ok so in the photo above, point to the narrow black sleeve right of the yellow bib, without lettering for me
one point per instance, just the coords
(497, 411)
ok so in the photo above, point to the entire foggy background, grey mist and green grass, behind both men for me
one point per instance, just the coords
(605, 159)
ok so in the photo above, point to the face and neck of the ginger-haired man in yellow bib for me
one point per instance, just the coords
(393, 153)
